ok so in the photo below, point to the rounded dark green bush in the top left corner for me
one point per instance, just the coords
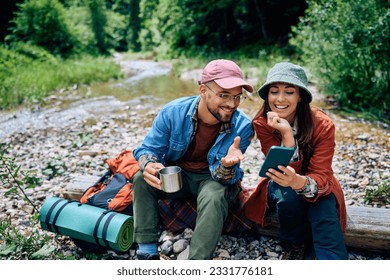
(43, 23)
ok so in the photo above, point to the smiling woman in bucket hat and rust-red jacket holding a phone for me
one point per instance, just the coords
(306, 195)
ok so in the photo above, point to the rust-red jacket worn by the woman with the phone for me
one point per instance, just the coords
(320, 167)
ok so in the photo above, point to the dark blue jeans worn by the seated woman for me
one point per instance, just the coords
(301, 221)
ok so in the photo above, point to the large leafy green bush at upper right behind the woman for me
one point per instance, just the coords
(347, 46)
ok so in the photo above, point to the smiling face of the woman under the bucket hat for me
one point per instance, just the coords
(283, 99)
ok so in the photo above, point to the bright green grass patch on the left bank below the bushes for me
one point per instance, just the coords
(28, 73)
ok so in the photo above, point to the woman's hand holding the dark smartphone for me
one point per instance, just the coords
(287, 177)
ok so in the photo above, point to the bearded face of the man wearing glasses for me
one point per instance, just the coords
(221, 103)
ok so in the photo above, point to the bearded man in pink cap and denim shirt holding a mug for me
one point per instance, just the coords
(206, 136)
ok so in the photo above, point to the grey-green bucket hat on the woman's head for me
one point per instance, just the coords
(286, 72)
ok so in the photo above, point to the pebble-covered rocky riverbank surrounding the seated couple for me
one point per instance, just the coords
(58, 145)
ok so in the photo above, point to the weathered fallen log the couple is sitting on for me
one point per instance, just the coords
(368, 229)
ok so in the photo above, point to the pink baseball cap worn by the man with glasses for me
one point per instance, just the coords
(225, 73)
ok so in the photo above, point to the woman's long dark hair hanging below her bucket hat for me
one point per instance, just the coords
(305, 119)
